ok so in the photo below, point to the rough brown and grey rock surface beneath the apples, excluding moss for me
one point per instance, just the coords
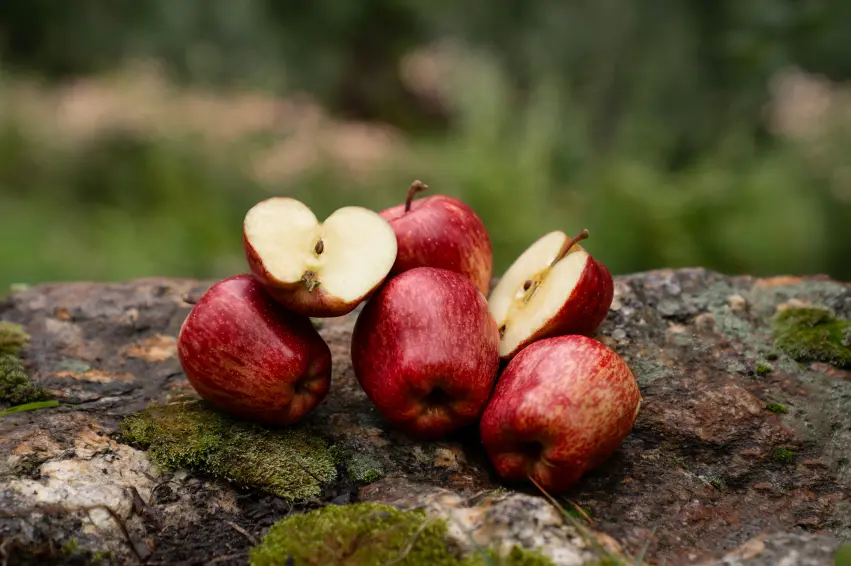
(709, 475)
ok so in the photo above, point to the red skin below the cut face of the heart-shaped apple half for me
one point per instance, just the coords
(296, 296)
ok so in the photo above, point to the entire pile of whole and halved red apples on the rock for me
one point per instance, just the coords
(434, 348)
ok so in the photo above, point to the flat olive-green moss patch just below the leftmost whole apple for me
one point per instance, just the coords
(290, 463)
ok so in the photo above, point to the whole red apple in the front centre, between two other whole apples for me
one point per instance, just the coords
(425, 329)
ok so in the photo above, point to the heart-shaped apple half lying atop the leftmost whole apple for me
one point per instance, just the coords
(317, 269)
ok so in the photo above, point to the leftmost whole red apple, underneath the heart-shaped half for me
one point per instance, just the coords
(249, 356)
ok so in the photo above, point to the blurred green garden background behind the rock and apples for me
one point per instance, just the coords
(135, 135)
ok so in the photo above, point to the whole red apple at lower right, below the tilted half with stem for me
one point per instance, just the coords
(561, 407)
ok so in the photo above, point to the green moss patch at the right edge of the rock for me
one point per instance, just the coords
(813, 334)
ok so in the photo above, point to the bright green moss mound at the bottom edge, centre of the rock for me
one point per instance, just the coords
(371, 534)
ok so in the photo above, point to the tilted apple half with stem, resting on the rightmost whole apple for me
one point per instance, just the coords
(554, 288)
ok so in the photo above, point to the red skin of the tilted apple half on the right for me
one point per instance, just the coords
(584, 311)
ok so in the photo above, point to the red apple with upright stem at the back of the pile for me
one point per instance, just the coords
(441, 231)
